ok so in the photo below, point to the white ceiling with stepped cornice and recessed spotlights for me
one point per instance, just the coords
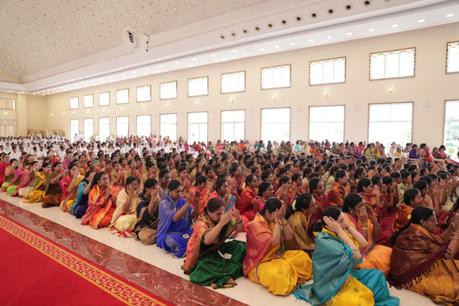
(79, 44)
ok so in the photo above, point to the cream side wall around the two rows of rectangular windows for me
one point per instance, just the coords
(427, 90)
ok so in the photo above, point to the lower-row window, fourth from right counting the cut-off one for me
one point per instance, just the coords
(275, 124)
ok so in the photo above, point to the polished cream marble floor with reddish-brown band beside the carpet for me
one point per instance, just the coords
(148, 266)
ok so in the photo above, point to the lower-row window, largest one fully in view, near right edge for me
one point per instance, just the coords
(390, 122)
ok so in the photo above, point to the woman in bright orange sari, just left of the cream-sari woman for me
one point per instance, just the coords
(100, 203)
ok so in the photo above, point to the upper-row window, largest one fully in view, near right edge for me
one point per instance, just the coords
(392, 64)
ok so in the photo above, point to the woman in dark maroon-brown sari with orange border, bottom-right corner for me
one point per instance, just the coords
(425, 263)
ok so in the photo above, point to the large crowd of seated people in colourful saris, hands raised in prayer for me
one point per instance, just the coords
(328, 222)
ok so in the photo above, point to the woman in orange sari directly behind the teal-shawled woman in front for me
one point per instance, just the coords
(362, 218)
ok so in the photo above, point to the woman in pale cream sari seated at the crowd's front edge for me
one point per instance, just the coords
(124, 217)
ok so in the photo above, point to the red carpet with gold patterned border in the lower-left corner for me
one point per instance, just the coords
(36, 271)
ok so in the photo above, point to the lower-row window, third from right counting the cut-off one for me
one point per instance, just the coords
(326, 123)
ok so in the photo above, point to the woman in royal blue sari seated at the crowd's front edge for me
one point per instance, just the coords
(175, 220)
